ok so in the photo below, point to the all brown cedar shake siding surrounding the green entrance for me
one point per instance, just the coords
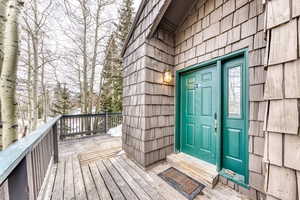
(210, 29)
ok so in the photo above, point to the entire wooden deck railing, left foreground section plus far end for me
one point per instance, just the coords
(24, 165)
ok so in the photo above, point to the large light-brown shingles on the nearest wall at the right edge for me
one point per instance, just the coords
(282, 92)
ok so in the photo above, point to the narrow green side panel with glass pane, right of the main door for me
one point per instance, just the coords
(233, 133)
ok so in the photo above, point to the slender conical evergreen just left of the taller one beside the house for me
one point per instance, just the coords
(111, 53)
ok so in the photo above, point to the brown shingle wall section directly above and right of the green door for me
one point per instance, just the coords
(218, 27)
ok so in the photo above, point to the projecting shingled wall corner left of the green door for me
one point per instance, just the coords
(147, 103)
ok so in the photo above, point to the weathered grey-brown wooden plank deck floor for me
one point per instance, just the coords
(95, 174)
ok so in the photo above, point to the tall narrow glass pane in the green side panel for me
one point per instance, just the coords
(234, 92)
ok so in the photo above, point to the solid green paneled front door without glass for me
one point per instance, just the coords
(198, 107)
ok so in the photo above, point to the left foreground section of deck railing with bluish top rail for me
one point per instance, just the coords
(24, 164)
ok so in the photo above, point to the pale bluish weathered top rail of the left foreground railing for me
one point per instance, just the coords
(13, 155)
